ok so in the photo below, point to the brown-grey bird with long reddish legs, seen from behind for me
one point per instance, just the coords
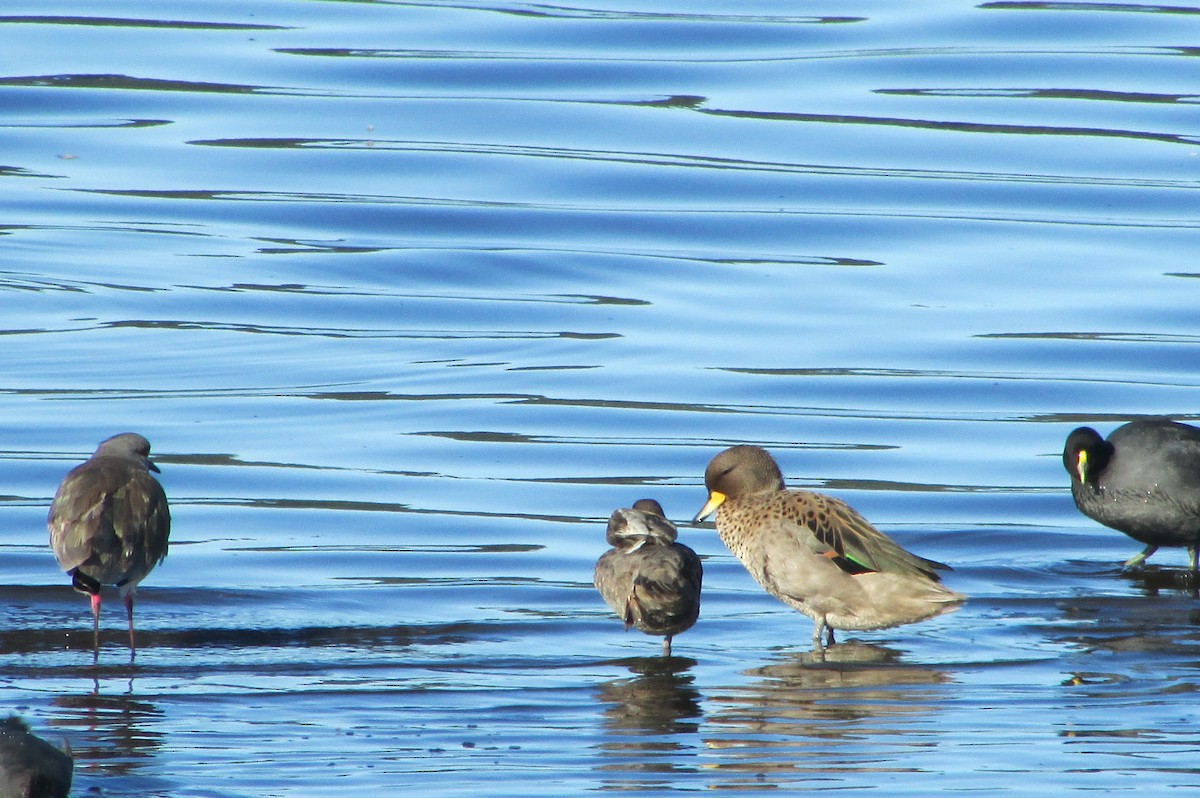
(110, 524)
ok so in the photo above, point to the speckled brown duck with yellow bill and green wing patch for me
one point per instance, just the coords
(815, 554)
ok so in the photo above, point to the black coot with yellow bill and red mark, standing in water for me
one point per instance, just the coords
(1144, 482)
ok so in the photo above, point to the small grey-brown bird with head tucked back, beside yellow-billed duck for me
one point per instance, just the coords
(649, 579)
